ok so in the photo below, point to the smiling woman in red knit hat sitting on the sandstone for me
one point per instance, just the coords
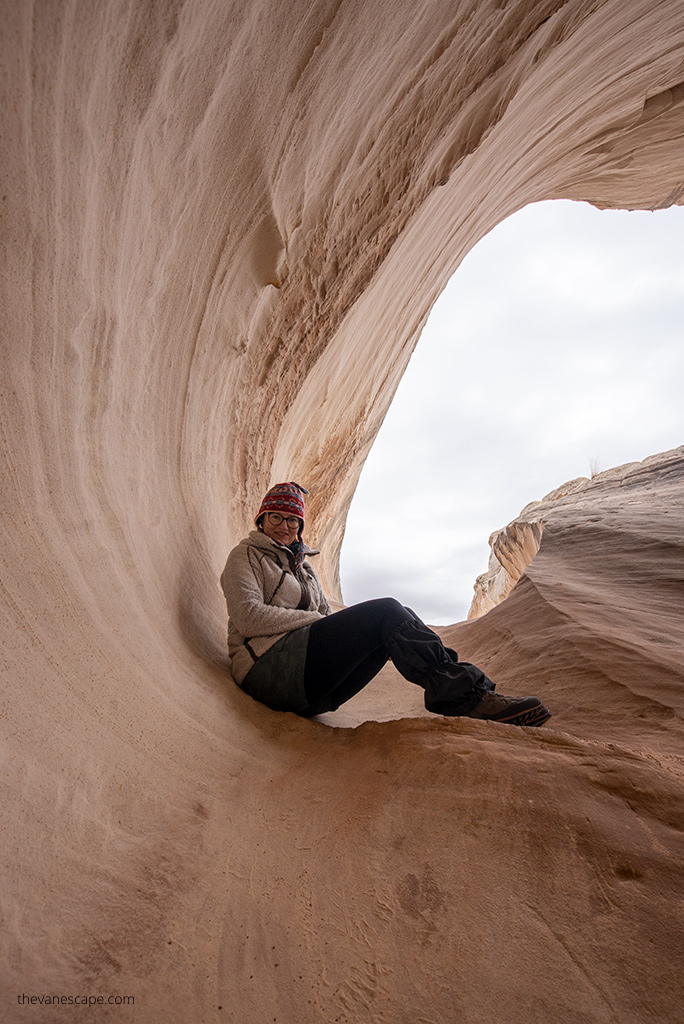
(292, 653)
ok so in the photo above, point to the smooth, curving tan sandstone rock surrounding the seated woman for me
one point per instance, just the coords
(224, 228)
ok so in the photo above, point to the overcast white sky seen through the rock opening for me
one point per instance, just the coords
(559, 342)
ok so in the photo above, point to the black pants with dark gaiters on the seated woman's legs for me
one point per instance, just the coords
(347, 650)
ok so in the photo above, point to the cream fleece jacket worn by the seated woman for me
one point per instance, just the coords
(263, 593)
